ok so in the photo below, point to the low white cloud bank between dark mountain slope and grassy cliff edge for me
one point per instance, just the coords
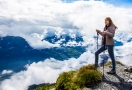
(44, 72)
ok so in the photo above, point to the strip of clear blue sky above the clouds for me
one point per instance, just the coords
(114, 2)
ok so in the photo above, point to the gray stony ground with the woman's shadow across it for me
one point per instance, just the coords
(120, 81)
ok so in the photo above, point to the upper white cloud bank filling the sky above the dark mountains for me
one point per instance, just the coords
(26, 17)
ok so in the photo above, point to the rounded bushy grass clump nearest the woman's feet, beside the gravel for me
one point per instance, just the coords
(87, 76)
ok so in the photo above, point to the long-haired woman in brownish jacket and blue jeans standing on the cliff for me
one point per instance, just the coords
(107, 43)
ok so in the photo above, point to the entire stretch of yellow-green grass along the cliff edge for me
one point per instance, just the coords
(86, 76)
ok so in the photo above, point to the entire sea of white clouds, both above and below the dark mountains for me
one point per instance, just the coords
(35, 20)
